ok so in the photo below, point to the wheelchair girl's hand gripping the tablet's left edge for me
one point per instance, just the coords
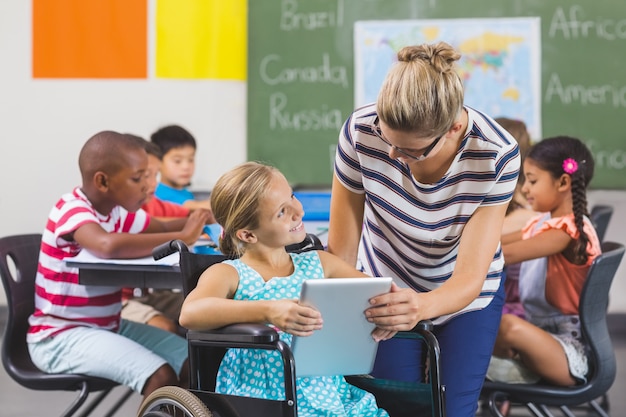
(294, 318)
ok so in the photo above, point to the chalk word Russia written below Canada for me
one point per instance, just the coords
(304, 119)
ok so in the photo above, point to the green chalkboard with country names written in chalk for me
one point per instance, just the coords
(301, 75)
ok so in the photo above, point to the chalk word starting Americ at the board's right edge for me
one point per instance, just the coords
(612, 95)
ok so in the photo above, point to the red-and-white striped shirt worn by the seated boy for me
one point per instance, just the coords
(60, 301)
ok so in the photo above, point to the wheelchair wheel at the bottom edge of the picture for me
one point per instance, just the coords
(173, 402)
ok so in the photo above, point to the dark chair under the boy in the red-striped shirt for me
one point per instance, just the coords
(18, 267)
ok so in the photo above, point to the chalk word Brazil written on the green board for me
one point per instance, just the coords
(293, 19)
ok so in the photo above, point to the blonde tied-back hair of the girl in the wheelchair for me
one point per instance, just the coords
(235, 202)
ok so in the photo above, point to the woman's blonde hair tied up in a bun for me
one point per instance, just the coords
(422, 92)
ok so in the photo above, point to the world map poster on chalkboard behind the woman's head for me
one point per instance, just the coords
(500, 61)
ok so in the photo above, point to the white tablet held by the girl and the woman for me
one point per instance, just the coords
(344, 345)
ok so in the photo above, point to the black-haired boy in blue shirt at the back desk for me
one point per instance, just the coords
(179, 153)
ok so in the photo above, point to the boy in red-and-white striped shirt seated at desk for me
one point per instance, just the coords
(77, 328)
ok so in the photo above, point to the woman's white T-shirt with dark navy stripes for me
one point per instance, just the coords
(412, 230)
